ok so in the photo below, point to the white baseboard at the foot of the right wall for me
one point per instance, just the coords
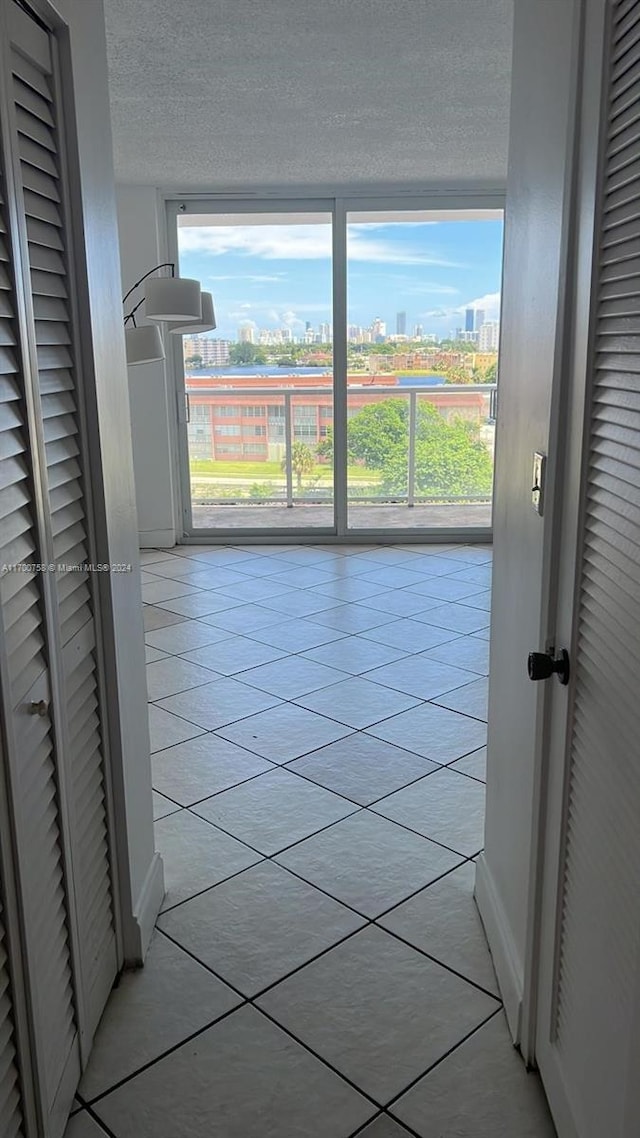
(498, 933)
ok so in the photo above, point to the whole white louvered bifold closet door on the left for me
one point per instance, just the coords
(53, 740)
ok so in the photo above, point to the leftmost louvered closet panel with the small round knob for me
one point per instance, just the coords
(29, 741)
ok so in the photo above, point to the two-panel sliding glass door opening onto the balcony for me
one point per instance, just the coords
(350, 385)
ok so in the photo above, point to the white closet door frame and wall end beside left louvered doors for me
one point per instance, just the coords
(80, 46)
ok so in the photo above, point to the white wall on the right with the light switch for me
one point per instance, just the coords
(543, 131)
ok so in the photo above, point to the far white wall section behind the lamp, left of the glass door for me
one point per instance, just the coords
(142, 243)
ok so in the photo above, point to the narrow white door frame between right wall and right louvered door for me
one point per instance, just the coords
(563, 555)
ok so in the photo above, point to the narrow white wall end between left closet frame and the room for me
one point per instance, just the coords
(142, 878)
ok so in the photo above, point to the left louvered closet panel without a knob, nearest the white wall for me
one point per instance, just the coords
(40, 144)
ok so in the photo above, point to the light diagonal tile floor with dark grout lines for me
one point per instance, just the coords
(319, 970)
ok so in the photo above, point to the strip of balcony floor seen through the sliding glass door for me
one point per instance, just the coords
(370, 517)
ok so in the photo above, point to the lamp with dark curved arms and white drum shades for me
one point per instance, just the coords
(176, 301)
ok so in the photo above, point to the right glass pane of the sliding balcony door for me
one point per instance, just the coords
(423, 336)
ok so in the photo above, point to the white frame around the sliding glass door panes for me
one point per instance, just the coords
(339, 208)
